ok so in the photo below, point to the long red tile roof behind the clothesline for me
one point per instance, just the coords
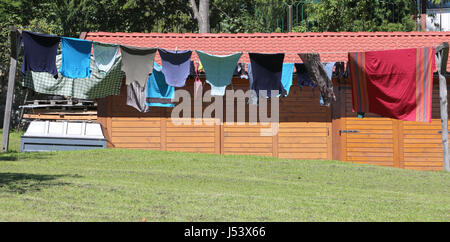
(332, 46)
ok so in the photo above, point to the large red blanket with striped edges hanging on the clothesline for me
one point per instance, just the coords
(394, 83)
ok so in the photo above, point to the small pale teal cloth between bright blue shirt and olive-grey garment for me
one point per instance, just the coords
(104, 55)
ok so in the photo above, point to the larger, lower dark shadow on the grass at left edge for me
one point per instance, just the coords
(24, 182)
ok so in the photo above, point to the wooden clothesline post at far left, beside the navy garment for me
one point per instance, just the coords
(13, 37)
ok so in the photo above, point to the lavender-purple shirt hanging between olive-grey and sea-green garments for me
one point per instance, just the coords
(175, 66)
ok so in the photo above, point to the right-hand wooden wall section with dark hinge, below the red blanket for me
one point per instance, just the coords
(389, 142)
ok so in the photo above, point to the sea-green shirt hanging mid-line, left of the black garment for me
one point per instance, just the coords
(219, 70)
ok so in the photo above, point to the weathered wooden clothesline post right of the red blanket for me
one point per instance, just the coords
(441, 62)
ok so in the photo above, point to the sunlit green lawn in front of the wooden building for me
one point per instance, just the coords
(128, 185)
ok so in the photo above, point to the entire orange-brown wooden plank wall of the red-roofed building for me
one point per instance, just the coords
(305, 131)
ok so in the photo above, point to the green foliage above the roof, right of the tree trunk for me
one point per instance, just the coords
(310, 15)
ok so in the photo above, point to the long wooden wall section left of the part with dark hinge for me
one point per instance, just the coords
(304, 130)
